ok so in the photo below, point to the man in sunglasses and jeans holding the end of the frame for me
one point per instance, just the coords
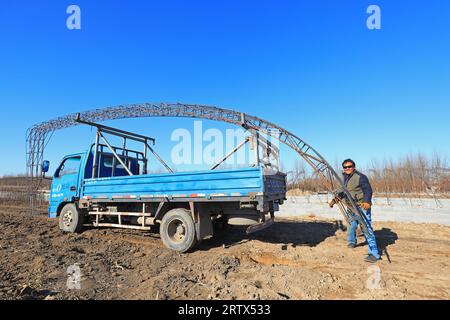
(359, 188)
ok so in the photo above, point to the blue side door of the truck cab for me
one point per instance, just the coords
(65, 181)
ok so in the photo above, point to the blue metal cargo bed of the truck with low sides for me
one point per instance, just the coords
(245, 182)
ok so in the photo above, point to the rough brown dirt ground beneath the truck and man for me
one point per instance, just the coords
(301, 258)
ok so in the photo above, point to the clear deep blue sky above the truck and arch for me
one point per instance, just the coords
(311, 67)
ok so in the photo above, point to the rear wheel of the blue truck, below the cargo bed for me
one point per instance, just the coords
(177, 230)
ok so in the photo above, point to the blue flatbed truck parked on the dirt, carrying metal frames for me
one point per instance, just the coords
(109, 186)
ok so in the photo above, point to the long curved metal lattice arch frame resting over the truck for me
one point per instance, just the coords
(39, 134)
